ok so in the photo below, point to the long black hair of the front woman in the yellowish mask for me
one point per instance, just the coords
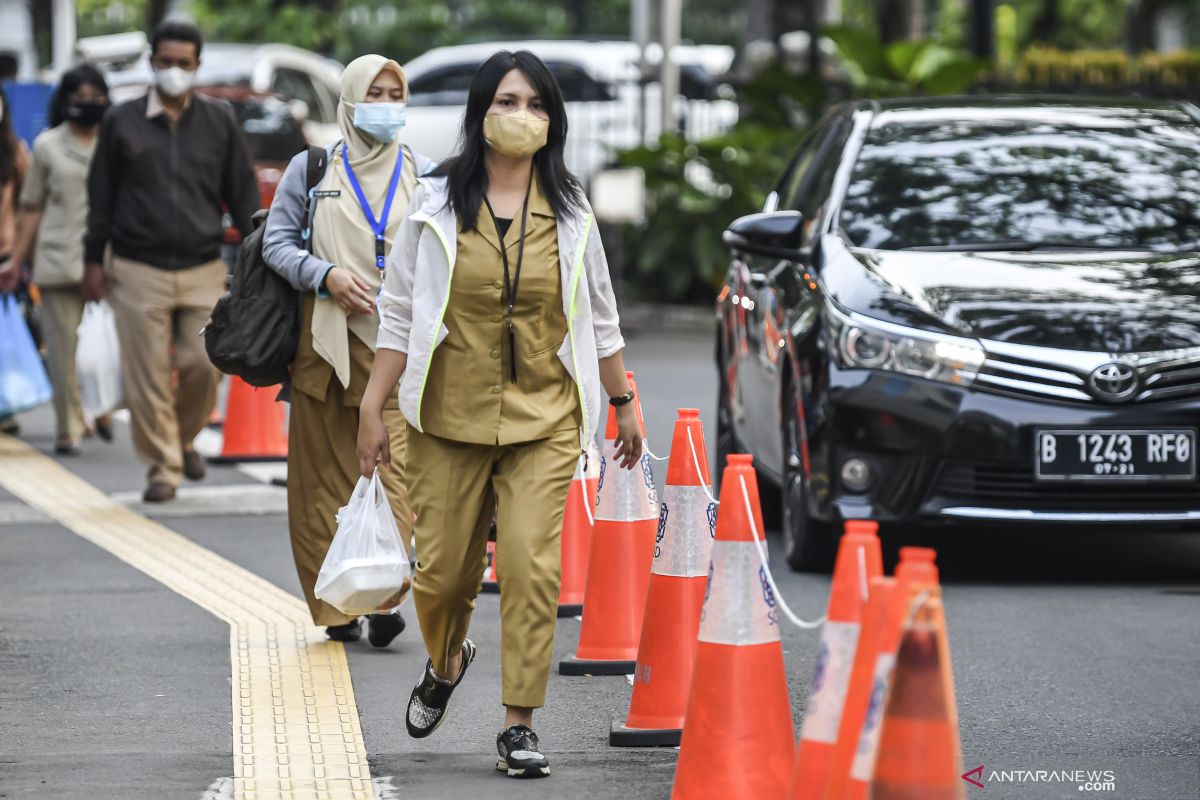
(467, 173)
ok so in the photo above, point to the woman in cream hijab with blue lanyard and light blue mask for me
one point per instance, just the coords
(355, 215)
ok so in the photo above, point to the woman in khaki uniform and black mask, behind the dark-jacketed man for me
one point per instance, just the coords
(55, 215)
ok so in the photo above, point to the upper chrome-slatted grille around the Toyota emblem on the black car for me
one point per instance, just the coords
(1064, 375)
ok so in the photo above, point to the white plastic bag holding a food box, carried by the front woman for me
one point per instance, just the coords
(367, 570)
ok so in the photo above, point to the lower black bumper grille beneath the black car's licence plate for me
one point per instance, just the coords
(1013, 486)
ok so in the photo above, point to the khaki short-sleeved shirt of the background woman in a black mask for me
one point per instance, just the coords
(58, 185)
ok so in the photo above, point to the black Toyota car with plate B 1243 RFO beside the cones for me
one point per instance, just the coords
(971, 310)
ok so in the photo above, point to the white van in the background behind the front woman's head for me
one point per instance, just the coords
(601, 85)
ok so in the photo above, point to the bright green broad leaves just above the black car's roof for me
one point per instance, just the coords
(917, 68)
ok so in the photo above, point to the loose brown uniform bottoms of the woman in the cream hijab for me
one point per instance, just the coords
(323, 468)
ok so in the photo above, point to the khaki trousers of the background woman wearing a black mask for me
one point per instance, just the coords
(62, 315)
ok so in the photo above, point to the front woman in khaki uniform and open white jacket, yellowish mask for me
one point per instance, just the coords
(500, 324)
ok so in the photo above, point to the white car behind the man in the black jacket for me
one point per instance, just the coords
(304, 80)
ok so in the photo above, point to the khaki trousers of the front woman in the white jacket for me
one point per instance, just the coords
(454, 489)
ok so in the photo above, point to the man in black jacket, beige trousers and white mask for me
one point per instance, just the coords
(165, 166)
